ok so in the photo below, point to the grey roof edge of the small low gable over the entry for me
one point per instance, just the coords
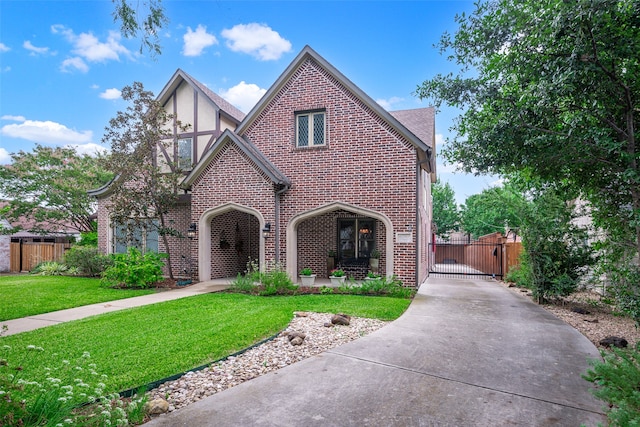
(268, 168)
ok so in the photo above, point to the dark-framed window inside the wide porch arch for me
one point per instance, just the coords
(356, 238)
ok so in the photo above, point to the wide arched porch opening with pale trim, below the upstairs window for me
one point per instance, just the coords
(327, 237)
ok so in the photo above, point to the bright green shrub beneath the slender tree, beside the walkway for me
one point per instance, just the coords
(134, 270)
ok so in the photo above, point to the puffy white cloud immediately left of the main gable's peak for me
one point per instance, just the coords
(257, 40)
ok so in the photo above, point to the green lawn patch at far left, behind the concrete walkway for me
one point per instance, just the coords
(26, 295)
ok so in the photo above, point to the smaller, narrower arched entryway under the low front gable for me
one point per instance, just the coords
(229, 236)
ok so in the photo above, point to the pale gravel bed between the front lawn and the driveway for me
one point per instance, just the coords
(267, 357)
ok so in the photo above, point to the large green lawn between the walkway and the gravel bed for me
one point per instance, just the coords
(137, 346)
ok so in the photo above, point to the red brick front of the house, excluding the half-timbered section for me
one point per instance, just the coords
(371, 166)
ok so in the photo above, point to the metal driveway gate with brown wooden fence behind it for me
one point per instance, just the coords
(463, 258)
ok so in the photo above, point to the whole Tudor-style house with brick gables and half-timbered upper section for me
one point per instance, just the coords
(316, 166)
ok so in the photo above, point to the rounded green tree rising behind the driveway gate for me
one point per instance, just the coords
(493, 210)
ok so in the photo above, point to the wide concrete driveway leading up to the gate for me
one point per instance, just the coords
(466, 353)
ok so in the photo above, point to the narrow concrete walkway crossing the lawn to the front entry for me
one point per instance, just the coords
(47, 319)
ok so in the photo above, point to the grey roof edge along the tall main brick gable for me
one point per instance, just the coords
(424, 150)
